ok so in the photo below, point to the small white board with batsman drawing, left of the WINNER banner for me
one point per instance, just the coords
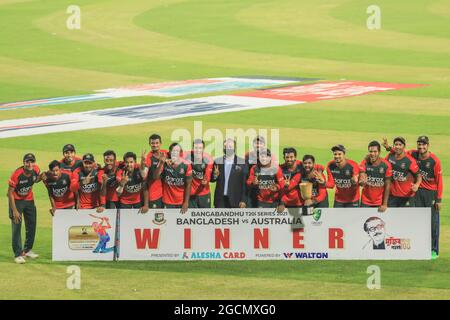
(84, 235)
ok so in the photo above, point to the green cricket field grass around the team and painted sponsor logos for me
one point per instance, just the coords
(141, 41)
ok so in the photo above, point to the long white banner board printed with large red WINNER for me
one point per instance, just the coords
(262, 234)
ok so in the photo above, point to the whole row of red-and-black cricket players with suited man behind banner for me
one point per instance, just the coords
(176, 178)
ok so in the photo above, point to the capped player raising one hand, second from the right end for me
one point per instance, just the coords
(406, 177)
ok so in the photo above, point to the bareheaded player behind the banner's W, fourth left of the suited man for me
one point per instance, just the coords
(131, 181)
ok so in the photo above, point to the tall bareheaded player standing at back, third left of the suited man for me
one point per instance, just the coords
(154, 188)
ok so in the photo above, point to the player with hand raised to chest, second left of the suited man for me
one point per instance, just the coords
(176, 176)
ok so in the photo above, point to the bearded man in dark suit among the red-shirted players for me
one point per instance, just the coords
(230, 174)
